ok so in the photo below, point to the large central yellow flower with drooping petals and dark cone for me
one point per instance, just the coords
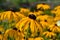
(29, 22)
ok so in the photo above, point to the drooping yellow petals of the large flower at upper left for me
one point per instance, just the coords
(9, 15)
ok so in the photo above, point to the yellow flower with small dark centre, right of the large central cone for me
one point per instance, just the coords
(45, 20)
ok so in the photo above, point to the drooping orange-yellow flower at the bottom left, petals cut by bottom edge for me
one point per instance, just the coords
(12, 34)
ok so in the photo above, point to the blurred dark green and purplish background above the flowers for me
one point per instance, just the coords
(26, 3)
